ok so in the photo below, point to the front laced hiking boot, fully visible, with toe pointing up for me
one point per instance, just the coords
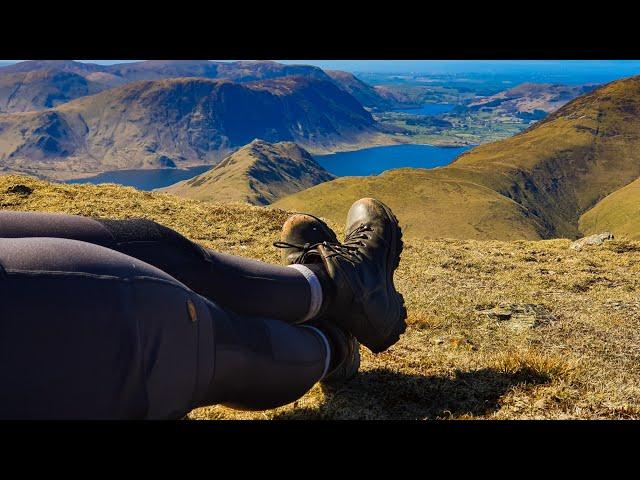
(363, 299)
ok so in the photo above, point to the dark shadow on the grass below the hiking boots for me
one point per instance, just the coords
(387, 395)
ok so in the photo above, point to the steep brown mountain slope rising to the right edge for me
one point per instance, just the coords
(565, 164)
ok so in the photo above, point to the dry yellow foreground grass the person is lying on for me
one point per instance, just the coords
(496, 329)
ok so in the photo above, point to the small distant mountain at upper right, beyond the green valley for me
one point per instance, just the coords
(531, 100)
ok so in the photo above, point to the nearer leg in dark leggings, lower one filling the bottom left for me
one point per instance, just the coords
(88, 332)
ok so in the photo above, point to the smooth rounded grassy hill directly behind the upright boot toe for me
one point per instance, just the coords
(429, 203)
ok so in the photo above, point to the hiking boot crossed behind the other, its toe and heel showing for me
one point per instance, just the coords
(300, 234)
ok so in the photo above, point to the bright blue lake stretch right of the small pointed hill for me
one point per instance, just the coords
(372, 161)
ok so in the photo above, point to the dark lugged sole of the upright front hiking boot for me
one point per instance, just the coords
(398, 310)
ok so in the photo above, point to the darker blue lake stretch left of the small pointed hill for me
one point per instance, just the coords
(145, 179)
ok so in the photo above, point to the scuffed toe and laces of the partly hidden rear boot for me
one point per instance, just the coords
(300, 234)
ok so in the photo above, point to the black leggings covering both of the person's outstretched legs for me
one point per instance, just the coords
(90, 332)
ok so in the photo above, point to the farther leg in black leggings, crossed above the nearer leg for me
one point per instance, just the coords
(246, 286)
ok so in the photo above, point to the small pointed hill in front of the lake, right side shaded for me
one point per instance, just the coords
(258, 173)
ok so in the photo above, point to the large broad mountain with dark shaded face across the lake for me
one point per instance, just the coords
(180, 122)
